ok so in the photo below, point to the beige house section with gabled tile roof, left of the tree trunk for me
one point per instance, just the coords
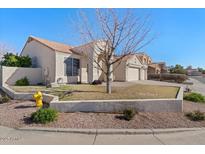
(61, 63)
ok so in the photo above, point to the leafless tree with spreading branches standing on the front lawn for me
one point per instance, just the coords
(121, 36)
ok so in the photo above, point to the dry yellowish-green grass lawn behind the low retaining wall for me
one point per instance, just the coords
(91, 92)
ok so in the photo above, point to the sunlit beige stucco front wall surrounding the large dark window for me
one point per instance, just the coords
(60, 67)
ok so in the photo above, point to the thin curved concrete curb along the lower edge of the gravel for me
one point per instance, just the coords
(112, 131)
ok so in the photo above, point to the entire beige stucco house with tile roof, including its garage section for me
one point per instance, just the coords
(61, 63)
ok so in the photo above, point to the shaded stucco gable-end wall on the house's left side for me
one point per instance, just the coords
(45, 58)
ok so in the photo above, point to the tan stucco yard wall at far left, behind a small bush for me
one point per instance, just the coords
(11, 74)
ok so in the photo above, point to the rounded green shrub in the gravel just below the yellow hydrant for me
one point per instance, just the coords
(44, 116)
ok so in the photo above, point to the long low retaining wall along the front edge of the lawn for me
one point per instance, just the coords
(142, 105)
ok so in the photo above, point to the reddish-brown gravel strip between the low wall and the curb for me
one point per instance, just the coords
(16, 113)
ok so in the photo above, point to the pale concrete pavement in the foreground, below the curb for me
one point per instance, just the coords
(13, 136)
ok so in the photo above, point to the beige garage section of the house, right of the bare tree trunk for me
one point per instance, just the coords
(130, 69)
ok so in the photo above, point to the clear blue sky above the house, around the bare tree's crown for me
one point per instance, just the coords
(180, 32)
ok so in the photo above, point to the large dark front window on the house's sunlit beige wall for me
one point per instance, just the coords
(72, 66)
